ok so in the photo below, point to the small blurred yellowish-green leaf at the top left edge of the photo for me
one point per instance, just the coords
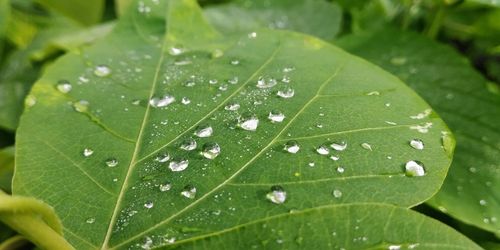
(86, 12)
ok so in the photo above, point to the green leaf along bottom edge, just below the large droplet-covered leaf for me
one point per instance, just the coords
(355, 226)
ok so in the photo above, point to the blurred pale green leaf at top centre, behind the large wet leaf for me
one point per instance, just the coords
(316, 17)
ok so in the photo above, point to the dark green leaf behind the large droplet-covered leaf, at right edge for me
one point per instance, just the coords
(462, 97)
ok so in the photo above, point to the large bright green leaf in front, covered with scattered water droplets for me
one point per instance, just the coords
(92, 146)
